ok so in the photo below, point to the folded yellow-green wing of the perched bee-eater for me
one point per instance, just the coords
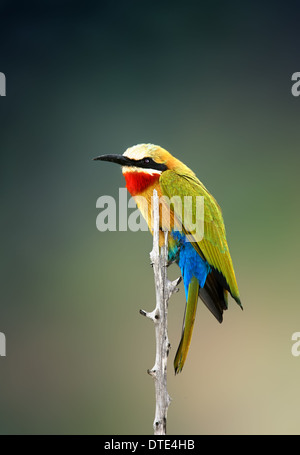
(213, 246)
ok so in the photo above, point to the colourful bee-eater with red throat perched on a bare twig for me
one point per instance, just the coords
(204, 260)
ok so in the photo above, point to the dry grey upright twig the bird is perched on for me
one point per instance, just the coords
(163, 291)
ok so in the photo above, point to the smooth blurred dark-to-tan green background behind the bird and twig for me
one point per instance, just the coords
(211, 83)
